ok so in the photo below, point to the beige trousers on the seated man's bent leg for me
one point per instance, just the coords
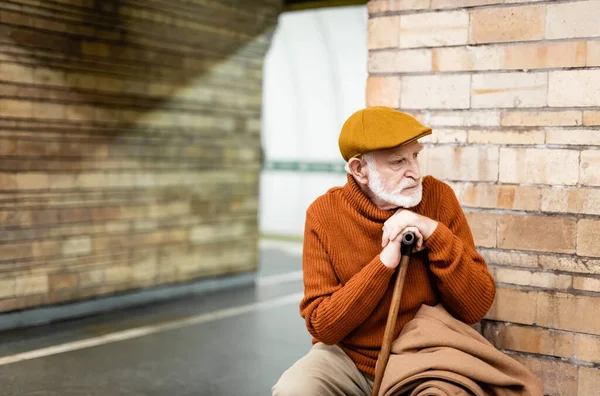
(325, 370)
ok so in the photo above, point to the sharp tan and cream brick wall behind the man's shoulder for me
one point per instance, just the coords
(512, 90)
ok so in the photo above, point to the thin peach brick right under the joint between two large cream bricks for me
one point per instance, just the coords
(541, 118)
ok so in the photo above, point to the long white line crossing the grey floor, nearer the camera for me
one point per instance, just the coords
(145, 330)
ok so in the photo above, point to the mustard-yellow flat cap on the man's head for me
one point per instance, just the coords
(378, 128)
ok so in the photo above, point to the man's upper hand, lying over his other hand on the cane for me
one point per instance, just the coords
(404, 220)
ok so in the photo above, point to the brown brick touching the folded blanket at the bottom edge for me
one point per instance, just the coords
(558, 377)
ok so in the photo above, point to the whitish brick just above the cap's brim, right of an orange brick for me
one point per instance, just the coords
(435, 92)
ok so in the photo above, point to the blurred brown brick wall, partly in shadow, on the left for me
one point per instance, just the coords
(129, 144)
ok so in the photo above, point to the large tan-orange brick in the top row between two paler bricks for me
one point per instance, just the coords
(507, 24)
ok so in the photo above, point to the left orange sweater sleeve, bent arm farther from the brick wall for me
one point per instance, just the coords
(333, 310)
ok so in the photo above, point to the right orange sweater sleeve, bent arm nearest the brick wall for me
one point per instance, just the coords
(462, 277)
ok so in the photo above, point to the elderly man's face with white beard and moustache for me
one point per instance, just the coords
(394, 175)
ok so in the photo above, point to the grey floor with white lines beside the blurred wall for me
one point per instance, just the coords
(234, 342)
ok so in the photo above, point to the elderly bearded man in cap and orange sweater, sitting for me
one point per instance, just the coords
(352, 248)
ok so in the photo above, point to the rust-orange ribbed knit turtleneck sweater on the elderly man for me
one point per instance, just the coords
(348, 290)
